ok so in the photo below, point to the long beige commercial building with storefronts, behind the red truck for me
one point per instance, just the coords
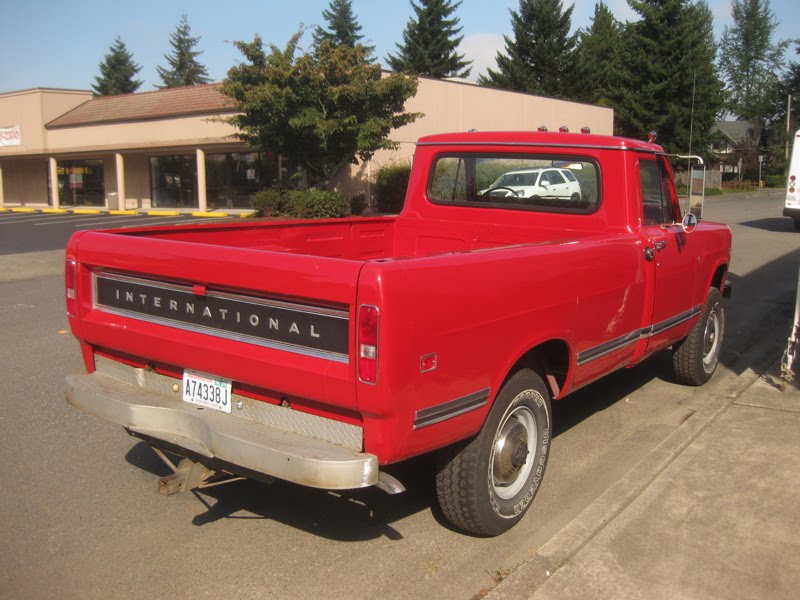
(171, 148)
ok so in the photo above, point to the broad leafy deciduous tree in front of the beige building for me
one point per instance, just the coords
(322, 110)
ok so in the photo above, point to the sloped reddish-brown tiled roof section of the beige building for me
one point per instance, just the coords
(174, 102)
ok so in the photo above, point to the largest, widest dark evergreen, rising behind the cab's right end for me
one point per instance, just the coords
(671, 83)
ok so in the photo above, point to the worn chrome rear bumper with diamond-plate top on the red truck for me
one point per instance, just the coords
(150, 405)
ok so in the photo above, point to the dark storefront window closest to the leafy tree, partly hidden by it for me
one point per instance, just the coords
(232, 178)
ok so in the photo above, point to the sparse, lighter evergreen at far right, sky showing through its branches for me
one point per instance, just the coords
(750, 62)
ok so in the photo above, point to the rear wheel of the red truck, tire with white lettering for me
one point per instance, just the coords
(486, 485)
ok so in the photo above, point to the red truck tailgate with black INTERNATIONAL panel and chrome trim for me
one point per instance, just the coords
(273, 321)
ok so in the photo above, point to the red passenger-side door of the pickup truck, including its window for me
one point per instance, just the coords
(668, 253)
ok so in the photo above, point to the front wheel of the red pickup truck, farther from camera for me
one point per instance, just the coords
(696, 357)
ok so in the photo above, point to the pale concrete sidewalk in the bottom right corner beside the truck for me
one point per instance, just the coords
(720, 520)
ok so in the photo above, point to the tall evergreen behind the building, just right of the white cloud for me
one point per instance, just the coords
(540, 59)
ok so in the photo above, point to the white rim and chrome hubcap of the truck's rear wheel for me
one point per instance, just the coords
(511, 452)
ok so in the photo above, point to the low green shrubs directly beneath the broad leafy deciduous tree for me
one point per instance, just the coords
(300, 204)
